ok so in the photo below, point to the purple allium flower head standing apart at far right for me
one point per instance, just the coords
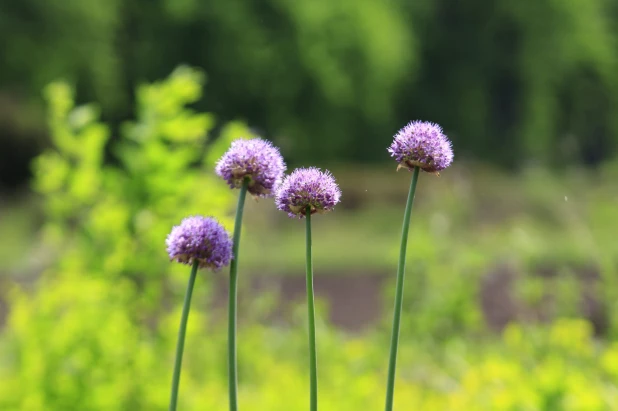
(422, 144)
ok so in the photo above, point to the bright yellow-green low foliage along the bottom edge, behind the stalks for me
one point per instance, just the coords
(75, 347)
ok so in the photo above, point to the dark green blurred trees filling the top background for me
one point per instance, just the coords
(512, 82)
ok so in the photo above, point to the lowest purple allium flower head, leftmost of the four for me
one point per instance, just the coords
(202, 239)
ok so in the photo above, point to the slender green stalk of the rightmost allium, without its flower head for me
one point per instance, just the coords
(401, 268)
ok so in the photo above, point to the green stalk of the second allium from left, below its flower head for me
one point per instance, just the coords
(231, 337)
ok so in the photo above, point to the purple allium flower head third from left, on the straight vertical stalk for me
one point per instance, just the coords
(307, 187)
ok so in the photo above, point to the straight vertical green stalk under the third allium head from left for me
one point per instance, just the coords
(313, 362)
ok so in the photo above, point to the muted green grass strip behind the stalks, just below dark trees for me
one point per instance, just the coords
(532, 216)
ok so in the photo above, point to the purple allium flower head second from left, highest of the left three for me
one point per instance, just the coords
(257, 159)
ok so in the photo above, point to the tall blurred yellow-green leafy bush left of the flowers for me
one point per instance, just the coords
(86, 338)
